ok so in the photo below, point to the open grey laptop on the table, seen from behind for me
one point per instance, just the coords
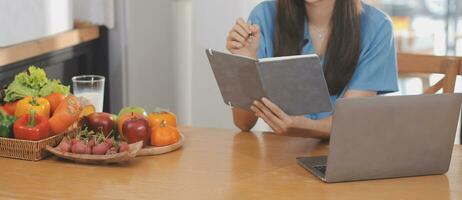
(388, 137)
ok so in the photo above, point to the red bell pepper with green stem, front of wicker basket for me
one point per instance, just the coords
(31, 127)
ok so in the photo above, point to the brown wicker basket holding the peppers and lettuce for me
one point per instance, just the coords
(30, 150)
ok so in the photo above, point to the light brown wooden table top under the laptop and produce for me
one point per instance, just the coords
(215, 164)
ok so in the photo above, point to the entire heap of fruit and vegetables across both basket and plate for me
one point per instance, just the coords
(37, 108)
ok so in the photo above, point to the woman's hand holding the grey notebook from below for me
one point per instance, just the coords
(277, 119)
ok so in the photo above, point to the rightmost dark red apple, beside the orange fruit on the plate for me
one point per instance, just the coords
(136, 128)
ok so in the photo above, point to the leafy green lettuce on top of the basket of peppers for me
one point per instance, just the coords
(33, 82)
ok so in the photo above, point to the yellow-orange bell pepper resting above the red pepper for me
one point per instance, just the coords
(40, 105)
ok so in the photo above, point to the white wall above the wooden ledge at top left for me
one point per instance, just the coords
(25, 20)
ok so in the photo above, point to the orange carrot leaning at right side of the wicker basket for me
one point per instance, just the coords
(66, 114)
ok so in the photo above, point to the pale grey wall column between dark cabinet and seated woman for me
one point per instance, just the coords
(153, 67)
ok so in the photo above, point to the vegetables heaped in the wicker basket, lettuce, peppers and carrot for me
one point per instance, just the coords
(37, 108)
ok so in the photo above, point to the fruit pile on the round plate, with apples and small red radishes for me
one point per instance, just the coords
(104, 133)
